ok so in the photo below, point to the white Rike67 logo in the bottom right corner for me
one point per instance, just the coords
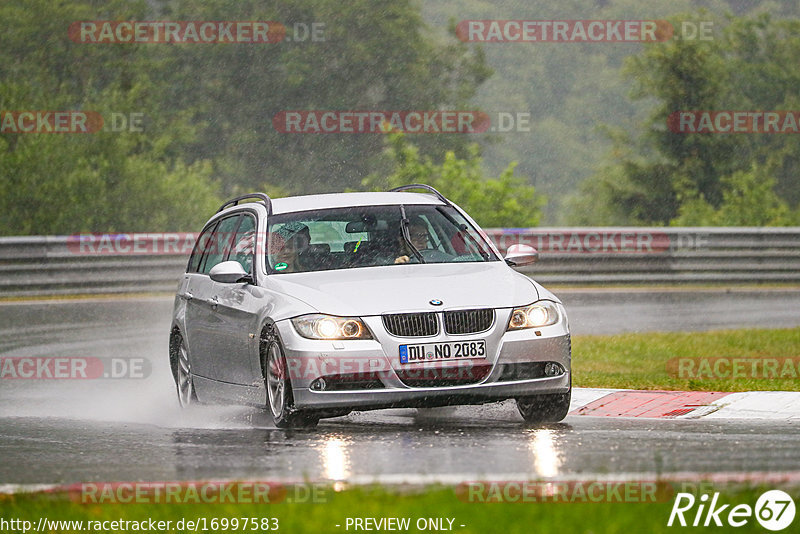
(774, 510)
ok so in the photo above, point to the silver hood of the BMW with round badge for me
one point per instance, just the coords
(404, 288)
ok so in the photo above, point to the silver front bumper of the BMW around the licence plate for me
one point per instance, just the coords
(308, 360)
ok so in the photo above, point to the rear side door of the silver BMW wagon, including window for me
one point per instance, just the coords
(202, 319)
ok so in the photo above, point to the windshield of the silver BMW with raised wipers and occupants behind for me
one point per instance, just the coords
(369, 236)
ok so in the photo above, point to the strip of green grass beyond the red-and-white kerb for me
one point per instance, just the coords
(725, 360)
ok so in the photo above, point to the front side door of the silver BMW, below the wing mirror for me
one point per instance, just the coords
(237, 313)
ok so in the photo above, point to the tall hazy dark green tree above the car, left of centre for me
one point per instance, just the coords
(376, 55)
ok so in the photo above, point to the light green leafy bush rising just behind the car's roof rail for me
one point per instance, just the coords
(505, 201)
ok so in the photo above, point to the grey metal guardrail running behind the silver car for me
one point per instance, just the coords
(137, 263)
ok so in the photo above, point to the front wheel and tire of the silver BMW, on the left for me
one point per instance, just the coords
(278, 384)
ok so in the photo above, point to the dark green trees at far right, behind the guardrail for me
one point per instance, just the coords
(662, 177)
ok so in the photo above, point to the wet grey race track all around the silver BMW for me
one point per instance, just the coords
(54, 431)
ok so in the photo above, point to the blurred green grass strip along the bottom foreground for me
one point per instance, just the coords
(451, 509)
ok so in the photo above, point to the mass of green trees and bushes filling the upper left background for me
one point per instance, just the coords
(208, 108)
